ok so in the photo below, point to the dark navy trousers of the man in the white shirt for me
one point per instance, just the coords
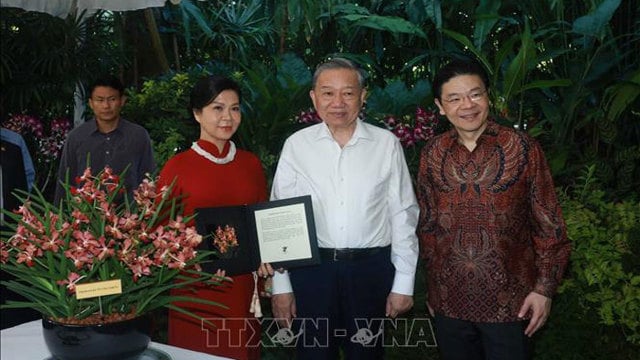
(341, 304)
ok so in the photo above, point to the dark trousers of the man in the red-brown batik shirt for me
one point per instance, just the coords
(467, 340)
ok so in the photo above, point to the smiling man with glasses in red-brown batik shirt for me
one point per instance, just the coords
(491, 229)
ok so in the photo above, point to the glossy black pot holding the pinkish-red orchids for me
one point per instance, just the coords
(114, 341)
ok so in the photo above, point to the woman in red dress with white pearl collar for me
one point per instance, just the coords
(215, 173)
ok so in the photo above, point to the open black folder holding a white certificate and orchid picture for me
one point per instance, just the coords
(279, 232)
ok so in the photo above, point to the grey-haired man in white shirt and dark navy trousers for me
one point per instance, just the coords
(365, 214)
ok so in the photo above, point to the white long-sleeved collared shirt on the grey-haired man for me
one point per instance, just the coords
(362, 194)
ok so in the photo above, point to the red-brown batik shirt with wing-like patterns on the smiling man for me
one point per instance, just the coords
(491, 229)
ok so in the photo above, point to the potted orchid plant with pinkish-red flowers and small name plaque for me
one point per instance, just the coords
(98, 258)
